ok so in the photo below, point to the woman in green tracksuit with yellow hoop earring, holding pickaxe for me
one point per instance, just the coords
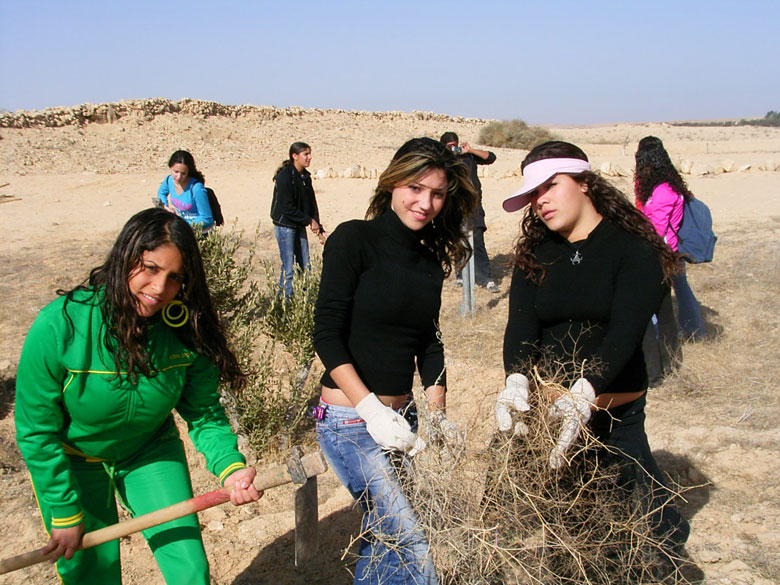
(101, 370)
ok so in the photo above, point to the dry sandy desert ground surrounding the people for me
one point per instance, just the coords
(71, 189)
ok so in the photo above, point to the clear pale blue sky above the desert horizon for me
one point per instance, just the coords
(545, 61)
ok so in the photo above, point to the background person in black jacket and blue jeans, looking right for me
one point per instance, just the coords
(293, 209)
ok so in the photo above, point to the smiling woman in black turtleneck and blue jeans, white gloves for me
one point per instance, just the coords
(376, 321)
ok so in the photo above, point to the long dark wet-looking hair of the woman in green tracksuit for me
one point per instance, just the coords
(125, 336)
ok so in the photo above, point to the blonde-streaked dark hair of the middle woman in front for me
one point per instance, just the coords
(444, 236)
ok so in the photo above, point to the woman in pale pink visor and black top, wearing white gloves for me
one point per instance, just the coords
(589, 271)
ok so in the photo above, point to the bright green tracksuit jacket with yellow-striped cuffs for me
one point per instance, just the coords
(69, 401)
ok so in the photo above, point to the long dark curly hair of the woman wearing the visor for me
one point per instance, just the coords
(608, 201)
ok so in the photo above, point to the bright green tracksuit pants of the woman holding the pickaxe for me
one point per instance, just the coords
(148, 481)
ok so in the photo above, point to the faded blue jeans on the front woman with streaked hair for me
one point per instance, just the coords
(393, 548)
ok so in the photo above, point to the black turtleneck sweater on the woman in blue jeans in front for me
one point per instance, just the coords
(378, 306)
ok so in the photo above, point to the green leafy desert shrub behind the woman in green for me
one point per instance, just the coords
(271, 338)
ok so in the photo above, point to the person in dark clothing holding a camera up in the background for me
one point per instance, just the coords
(472, 157)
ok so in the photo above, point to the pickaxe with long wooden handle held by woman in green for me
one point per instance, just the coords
(300, 469)
